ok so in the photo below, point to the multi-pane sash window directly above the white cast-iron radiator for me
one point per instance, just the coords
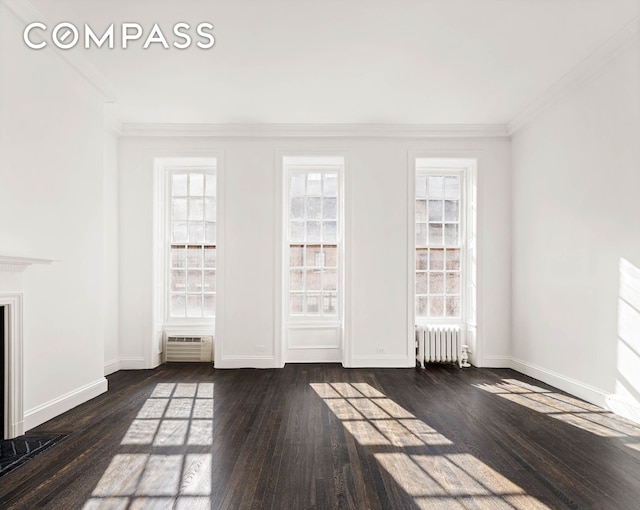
(439, 249)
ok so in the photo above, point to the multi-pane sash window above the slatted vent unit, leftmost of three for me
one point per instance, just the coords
(192, 244)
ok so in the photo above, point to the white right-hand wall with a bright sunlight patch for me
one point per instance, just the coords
(576, 186)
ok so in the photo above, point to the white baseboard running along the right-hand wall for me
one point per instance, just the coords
(614, 403)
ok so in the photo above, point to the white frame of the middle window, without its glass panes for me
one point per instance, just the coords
(308, 165)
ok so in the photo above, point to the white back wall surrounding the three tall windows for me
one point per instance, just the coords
(376, 244)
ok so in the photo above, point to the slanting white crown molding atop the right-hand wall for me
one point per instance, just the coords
(627, 36)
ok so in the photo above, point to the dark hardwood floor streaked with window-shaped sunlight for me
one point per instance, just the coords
(320, 436)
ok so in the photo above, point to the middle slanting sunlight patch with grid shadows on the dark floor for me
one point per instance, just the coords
(433, 480)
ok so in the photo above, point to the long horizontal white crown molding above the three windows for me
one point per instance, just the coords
(317, 130)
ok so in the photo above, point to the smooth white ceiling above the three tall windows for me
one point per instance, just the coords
(346, 61)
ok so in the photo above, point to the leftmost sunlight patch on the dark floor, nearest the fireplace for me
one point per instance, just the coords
(175, 415)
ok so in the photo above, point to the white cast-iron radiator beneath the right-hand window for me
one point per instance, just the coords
(439, 344)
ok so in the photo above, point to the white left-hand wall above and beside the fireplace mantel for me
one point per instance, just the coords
(51, 205)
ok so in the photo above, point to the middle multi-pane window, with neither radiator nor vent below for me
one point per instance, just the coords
(313, 225)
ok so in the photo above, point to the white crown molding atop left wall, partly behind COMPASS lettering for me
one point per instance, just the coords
(26, 12)
